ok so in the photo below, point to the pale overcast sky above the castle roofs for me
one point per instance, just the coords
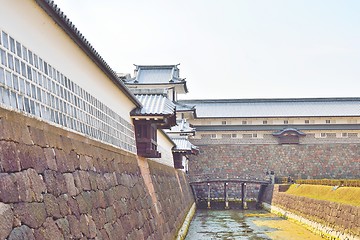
(231, 48)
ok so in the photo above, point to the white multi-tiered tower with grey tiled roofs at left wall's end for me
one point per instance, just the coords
(157, 87)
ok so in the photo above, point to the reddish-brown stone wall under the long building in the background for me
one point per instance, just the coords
(331, 160)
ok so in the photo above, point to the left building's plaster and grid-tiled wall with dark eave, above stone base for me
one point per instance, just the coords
(41, 76)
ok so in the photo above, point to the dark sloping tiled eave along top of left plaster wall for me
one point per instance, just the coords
(63, 21)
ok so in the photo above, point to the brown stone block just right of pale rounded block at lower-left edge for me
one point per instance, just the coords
(31, 214)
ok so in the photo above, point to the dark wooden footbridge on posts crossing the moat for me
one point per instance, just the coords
(226, 181)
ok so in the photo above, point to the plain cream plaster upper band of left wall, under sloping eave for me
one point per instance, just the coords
(29, 24)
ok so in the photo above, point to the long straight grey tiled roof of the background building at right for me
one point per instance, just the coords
(302, 107)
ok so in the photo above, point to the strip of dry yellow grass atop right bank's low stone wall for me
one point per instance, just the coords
(345, 195)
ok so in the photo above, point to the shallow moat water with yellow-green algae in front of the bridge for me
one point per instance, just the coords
(237, 224)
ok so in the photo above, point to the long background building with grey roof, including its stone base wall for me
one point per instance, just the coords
(300, 138)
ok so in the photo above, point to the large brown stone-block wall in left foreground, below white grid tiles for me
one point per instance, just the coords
(55, 184)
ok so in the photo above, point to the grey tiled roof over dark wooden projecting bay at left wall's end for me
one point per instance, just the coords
(154, 105)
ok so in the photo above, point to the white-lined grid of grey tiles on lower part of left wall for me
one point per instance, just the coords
(31, 85)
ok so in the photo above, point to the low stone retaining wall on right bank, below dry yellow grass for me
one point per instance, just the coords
(326, 218)
